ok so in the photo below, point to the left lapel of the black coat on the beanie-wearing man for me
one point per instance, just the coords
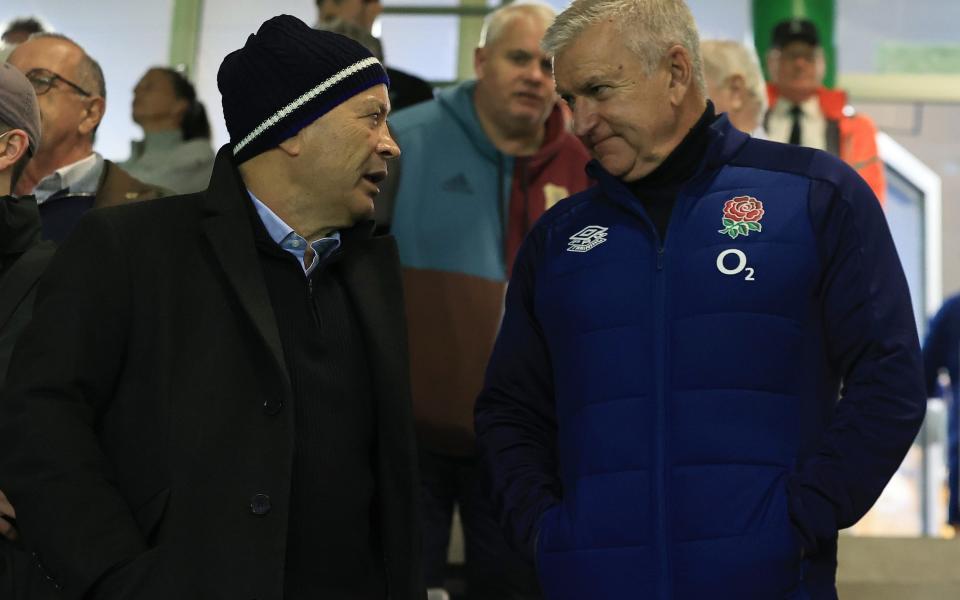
(226, 224)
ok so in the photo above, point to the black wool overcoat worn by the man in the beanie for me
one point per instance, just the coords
(146, 435)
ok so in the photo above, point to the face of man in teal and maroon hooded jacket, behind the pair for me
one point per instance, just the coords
(513, 76)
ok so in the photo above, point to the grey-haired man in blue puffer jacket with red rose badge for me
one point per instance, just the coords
(708, 363)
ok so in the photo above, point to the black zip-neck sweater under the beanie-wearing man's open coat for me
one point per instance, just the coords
(333, 543)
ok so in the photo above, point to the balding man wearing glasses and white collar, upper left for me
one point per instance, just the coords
(67, 176)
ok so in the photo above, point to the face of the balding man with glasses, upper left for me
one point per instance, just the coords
(65, 112)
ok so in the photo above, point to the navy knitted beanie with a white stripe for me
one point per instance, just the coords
(287, 76)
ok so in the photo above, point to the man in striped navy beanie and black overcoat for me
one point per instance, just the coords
(212, 399)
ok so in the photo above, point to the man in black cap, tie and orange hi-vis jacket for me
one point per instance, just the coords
(804, 113)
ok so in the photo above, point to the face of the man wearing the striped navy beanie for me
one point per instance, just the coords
(343, 156)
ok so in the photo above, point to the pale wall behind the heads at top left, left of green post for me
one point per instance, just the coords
(125, 37)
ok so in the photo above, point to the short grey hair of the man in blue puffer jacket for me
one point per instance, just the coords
(649, 28)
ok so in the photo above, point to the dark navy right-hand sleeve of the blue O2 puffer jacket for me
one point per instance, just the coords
(872, 347)
